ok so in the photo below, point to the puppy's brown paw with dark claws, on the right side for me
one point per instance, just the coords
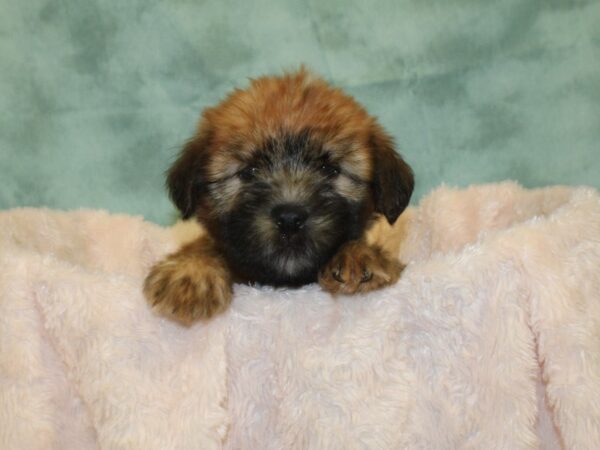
(358, 267)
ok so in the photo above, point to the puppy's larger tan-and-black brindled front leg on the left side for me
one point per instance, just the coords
(190, 284)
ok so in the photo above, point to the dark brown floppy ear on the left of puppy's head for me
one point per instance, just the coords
(186, 181)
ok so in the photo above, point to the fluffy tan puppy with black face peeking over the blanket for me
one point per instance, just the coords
(285, 176)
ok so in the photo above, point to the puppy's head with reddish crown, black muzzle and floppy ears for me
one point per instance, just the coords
(286, 171)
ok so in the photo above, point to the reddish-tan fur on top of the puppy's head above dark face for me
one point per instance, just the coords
(247, 118)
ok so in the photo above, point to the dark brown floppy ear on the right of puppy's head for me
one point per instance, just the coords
(393, 179)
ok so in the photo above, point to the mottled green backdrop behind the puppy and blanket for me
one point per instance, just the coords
(96, 96)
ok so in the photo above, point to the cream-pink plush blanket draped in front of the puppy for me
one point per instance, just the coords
(490, 340)
